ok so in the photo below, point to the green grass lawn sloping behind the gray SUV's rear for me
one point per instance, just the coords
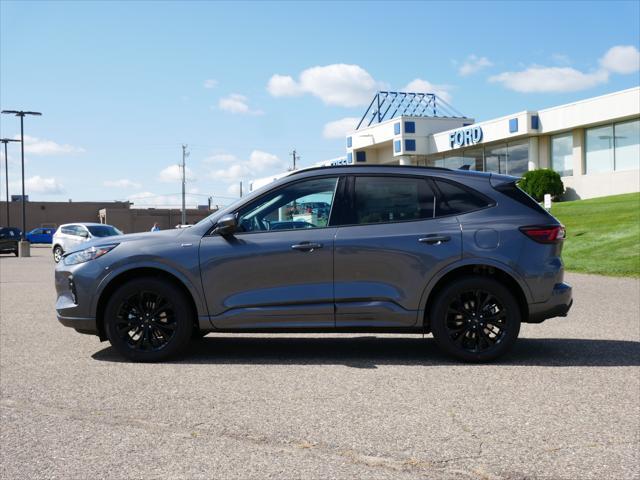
(603, 235)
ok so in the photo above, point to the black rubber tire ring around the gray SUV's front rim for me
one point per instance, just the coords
(182, 310)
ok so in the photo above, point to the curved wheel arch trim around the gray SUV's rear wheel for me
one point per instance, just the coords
(508, 279)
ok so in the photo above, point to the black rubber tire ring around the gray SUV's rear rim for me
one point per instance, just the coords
(441, 305)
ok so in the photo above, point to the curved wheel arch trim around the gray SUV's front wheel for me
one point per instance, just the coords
(139, 272)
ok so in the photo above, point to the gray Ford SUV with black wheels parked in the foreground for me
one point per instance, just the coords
(464, 255)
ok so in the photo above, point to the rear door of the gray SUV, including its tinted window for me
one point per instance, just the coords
(388, 249)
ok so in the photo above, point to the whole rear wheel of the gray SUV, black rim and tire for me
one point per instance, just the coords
(475, 319)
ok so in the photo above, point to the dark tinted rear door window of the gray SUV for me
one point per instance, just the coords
(392, 199)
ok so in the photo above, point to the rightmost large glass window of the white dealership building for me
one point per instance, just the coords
(613, 147)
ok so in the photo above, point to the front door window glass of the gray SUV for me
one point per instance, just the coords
(305, 204)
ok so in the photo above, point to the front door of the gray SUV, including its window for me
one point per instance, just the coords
(277, 270)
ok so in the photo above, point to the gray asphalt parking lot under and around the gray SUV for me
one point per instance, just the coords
(565, 404)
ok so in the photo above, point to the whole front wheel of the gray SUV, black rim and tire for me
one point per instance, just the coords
(148, 320)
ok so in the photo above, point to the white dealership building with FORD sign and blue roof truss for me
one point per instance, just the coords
(594, 144)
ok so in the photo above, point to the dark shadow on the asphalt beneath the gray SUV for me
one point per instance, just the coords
(371, 352)
